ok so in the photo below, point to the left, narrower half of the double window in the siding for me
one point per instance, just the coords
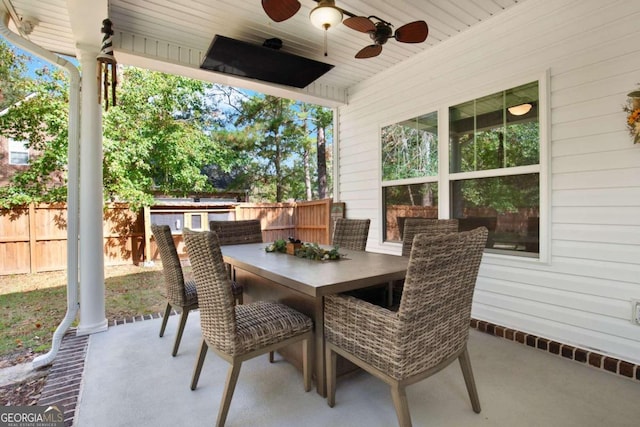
(409, 171)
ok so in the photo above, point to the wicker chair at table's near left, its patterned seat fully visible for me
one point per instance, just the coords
(239, 332)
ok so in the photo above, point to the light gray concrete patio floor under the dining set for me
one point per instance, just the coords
(130, 379)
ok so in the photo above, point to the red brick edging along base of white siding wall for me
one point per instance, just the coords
(588, 357)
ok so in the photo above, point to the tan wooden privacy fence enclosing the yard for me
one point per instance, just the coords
(33, 238)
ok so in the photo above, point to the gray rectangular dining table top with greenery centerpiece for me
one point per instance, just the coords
(317, 278)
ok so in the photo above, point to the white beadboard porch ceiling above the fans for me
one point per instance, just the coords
(192, 24)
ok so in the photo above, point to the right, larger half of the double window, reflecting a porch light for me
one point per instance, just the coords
(494, 155)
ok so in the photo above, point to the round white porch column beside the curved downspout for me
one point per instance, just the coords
(91, 262)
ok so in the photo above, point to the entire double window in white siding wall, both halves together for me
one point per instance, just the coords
(493, 178)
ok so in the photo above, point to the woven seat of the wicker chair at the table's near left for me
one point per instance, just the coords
(262, 323)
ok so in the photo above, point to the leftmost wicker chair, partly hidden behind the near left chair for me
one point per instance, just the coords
(181, 293)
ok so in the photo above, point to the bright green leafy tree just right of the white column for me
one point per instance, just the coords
(167, 147)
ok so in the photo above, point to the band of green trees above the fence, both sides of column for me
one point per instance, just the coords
(166, 134)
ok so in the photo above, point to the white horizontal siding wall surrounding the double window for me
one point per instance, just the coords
(581, 293)
